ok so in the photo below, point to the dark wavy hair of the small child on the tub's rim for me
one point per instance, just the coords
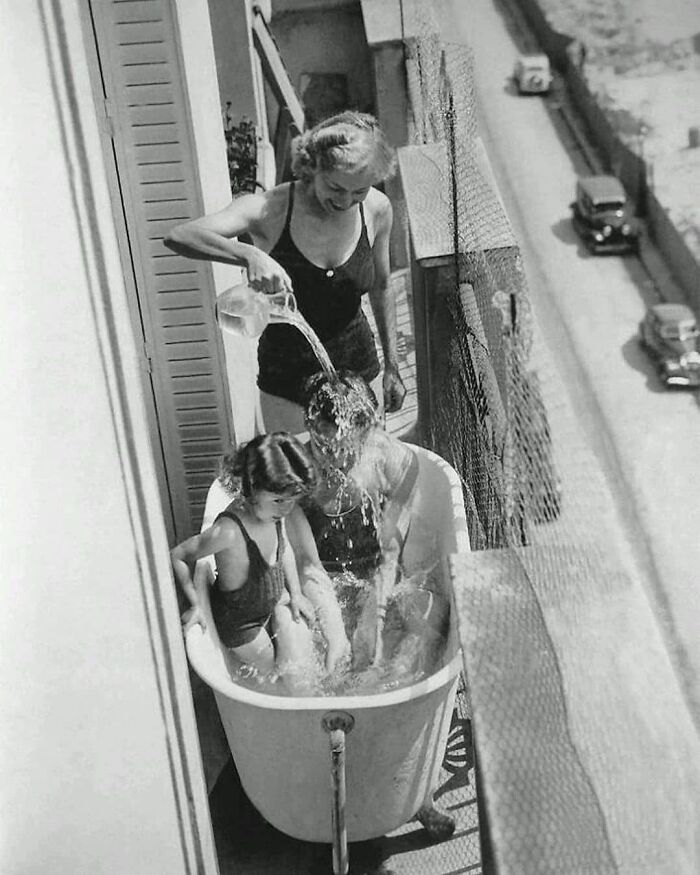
(275, 462)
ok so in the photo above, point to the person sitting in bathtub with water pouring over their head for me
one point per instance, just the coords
(361, 511)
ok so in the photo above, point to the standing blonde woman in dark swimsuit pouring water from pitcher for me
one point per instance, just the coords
(324, 236)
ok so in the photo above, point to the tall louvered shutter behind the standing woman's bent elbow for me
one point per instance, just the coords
(144, 85)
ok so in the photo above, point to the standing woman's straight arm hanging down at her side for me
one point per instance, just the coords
(383, 304)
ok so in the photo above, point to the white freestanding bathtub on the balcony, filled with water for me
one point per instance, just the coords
(394, 751)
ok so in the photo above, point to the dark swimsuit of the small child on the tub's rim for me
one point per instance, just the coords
(240, 614)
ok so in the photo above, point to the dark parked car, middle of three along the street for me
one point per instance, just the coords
(604, 216)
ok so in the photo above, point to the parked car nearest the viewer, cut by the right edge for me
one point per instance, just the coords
(669, 334)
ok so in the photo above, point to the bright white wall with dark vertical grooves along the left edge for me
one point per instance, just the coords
(96, 774)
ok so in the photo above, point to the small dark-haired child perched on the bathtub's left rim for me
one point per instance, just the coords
(257, 597)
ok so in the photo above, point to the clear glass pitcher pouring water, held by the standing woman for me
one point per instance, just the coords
(242, 310)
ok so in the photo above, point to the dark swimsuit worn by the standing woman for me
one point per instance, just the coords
(330, 301)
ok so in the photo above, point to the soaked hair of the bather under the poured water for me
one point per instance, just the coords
(345, 401)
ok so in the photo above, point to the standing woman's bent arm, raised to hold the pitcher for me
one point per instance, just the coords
(209, 238)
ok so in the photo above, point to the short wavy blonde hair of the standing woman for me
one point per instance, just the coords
(347, 141)
